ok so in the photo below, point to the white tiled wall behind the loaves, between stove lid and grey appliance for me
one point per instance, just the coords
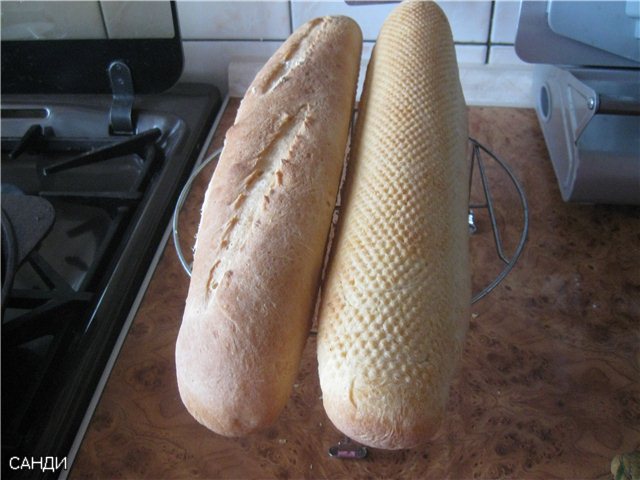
(484, 32)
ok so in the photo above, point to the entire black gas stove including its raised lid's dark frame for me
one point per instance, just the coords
(95, 150)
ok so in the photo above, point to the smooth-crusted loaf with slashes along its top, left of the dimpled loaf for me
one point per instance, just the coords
(265, 221)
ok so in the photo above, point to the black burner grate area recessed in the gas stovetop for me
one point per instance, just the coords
(95, 193)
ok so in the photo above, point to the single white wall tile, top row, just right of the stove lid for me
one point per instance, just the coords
(234, 20)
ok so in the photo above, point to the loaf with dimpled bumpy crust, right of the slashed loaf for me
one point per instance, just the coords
(395, 303)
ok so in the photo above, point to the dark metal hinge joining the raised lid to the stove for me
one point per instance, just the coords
(120, 117)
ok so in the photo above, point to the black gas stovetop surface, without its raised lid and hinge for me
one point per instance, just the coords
(69, 298)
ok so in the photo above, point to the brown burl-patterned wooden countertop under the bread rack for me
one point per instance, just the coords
(550, 381)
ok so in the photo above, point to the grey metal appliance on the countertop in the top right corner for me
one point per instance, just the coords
(587, 91)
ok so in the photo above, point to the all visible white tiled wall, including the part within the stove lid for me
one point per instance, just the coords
(217, 34)
